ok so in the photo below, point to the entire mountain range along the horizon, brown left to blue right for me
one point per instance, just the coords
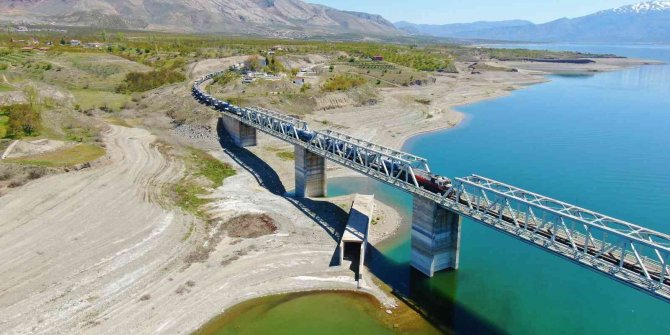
(643, 22)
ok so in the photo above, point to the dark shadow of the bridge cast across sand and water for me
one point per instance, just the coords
(431, 298)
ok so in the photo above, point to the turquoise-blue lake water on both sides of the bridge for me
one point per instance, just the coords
(601, 142)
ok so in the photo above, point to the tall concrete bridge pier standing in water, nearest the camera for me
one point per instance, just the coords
(436, 237)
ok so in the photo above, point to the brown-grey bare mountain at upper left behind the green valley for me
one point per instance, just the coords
(265, 17)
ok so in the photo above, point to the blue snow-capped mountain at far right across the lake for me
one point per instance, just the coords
(647, 22)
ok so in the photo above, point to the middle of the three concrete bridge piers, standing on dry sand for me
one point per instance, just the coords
(310, 174)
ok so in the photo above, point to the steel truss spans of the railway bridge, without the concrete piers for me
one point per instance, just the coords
(628, 253)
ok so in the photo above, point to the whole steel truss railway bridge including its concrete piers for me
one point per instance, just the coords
(628, 253)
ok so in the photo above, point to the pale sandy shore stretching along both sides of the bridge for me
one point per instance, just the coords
(95, 252)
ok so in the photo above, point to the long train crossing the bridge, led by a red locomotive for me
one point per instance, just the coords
(426, 180)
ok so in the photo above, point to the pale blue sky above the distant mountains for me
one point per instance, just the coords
(454, 11)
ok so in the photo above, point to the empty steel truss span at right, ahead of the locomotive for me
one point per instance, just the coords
(630, 253)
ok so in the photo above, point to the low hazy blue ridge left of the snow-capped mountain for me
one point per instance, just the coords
(455, 29)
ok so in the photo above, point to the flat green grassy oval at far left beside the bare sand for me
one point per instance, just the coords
(78, 154)
